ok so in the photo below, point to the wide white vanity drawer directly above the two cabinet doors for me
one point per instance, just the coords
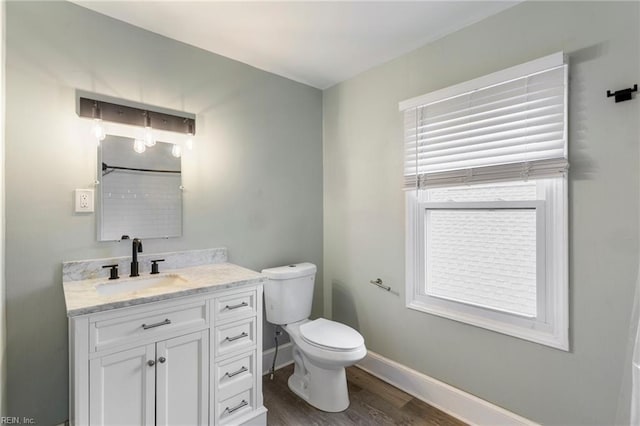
(109, 331)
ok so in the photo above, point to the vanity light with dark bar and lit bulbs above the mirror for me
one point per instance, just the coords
(145, 124)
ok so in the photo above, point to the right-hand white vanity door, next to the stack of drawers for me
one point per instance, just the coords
(182, 380)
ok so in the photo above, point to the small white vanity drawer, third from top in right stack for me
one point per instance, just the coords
(234, 375)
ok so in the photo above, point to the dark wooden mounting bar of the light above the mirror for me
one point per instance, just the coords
(136, 116)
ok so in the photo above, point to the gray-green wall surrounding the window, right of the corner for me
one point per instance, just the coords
(364, 211)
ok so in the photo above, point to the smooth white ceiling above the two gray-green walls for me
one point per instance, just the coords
(317, 43)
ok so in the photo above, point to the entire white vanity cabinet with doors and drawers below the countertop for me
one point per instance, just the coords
(193, 360)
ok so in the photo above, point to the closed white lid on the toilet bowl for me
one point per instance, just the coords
(331, 334)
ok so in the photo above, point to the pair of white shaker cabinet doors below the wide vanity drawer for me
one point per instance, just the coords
(155, 384)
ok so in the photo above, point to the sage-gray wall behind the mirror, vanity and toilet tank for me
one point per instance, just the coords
(243, 191)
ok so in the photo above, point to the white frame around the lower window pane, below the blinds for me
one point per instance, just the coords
(550, 326)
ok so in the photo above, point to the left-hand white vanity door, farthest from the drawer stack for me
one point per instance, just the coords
(122, 388)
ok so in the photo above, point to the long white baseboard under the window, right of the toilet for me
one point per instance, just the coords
(464, 406)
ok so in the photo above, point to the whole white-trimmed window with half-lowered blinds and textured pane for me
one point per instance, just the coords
(485, 174)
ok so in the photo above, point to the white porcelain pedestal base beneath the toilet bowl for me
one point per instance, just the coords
(325, 389)
